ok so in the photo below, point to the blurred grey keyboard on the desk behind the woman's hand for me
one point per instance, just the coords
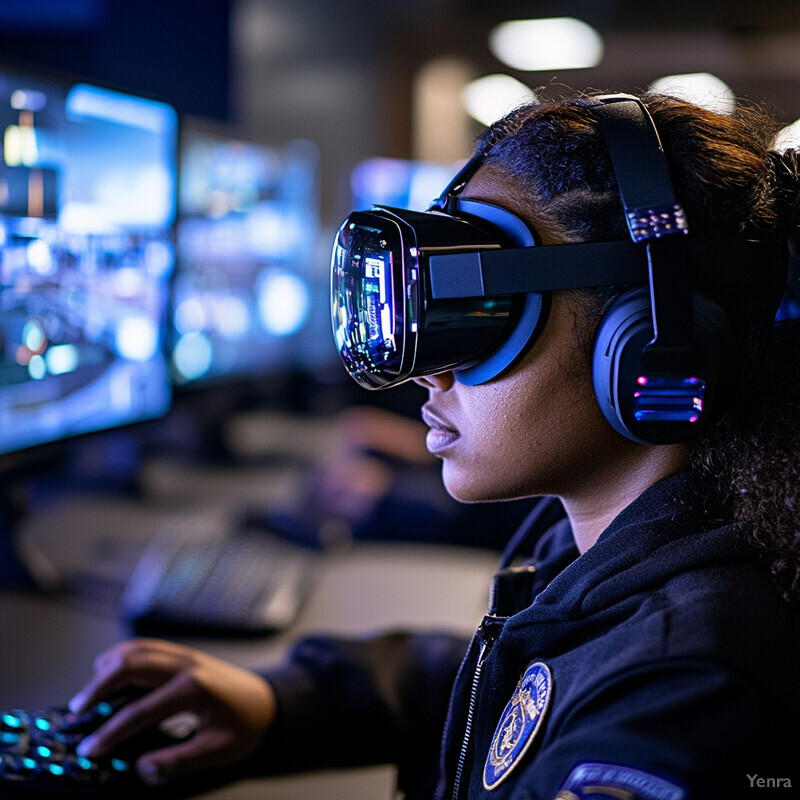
(241, 582)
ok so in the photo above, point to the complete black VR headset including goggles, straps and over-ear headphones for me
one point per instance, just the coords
(465, 287)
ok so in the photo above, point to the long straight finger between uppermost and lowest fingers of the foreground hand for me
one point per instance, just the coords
(137, 716)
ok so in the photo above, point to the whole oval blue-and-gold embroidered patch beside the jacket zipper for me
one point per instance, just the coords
(519, 722)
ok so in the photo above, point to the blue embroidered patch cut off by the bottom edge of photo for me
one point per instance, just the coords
(613, 781)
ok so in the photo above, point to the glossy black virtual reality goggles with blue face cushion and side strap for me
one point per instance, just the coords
(417, 293)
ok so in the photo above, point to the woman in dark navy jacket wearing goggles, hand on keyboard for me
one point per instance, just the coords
(652, 653)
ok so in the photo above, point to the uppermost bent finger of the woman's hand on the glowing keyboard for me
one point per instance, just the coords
(139, 662)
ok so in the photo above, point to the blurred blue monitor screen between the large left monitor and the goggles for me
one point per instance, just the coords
(248, 224)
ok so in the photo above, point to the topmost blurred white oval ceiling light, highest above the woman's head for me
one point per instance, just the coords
(544, 44)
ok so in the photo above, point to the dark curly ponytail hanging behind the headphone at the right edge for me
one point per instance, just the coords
(754, 452)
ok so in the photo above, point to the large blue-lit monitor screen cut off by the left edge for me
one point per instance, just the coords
(87, 202)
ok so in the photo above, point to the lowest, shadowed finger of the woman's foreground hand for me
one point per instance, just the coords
(205, 750)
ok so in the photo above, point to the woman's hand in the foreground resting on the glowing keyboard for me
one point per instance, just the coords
(234, 706)
